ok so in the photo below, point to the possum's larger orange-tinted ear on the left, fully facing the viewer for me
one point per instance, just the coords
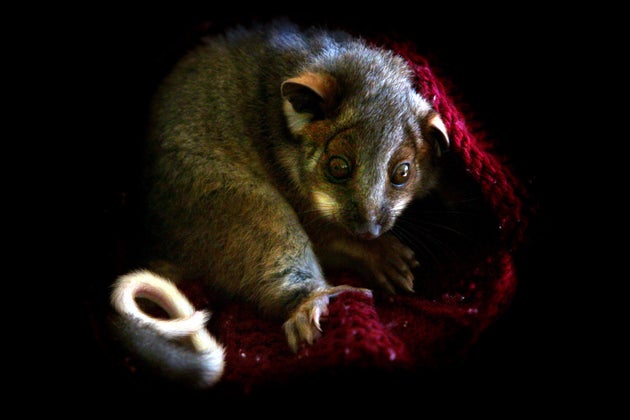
(307, 97)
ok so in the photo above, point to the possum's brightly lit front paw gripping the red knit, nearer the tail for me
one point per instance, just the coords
(303, 325)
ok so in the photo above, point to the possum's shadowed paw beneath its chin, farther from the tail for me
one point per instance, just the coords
(391, 263)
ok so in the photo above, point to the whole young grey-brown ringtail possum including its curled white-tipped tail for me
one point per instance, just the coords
(275, 153)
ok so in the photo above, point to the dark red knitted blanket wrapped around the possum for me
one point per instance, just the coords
(390, 333)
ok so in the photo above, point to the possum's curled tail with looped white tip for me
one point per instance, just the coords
(158, 342)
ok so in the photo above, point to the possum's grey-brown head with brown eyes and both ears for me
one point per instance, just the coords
(368, 145)
